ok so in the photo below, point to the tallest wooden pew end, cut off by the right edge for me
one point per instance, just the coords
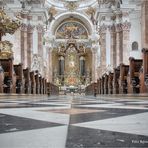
(144, 72)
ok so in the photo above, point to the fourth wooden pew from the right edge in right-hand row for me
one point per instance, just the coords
(116, 75)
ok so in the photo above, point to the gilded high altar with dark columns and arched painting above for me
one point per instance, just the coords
(72, 56)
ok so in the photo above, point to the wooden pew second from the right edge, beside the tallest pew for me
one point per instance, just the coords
(134, 74)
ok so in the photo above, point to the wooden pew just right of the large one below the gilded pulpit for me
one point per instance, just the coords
(19, 78)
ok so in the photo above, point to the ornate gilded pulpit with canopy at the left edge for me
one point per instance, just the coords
(7, 25)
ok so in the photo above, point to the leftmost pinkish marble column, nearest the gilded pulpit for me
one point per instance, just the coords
(24, 45)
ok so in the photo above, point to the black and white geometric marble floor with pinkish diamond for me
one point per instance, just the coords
(74, 121)
